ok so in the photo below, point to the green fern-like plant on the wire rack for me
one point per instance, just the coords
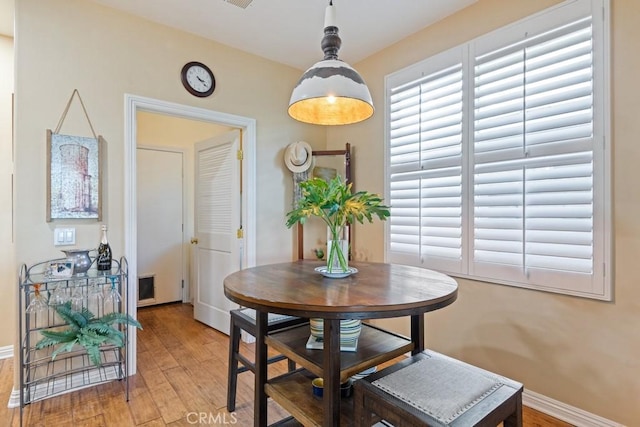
(87, 331)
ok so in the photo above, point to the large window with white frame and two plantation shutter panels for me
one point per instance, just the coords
(498, 156)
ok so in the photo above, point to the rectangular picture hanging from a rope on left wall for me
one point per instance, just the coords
(74, 177)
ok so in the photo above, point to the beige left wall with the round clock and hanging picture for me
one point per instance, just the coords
(67, 44)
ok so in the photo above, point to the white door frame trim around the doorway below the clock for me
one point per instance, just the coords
(134, 104)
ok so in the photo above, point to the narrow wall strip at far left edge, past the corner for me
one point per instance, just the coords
(8, 269)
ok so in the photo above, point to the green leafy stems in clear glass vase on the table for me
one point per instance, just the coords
(338, 207)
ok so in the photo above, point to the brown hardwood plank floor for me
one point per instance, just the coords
(181, 381)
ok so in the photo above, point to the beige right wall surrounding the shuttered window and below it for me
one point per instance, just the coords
(581, 352)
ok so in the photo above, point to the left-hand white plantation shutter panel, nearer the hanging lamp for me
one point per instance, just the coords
(426, 166)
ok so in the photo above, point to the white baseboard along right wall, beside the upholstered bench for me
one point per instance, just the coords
(564, 412)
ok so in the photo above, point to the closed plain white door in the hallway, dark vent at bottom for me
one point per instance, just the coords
(160, 226)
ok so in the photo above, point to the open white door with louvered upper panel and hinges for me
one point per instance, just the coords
(217, 249)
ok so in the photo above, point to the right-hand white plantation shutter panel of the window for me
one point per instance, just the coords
(533, 157)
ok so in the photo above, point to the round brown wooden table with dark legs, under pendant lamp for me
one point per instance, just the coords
(377, 290)
